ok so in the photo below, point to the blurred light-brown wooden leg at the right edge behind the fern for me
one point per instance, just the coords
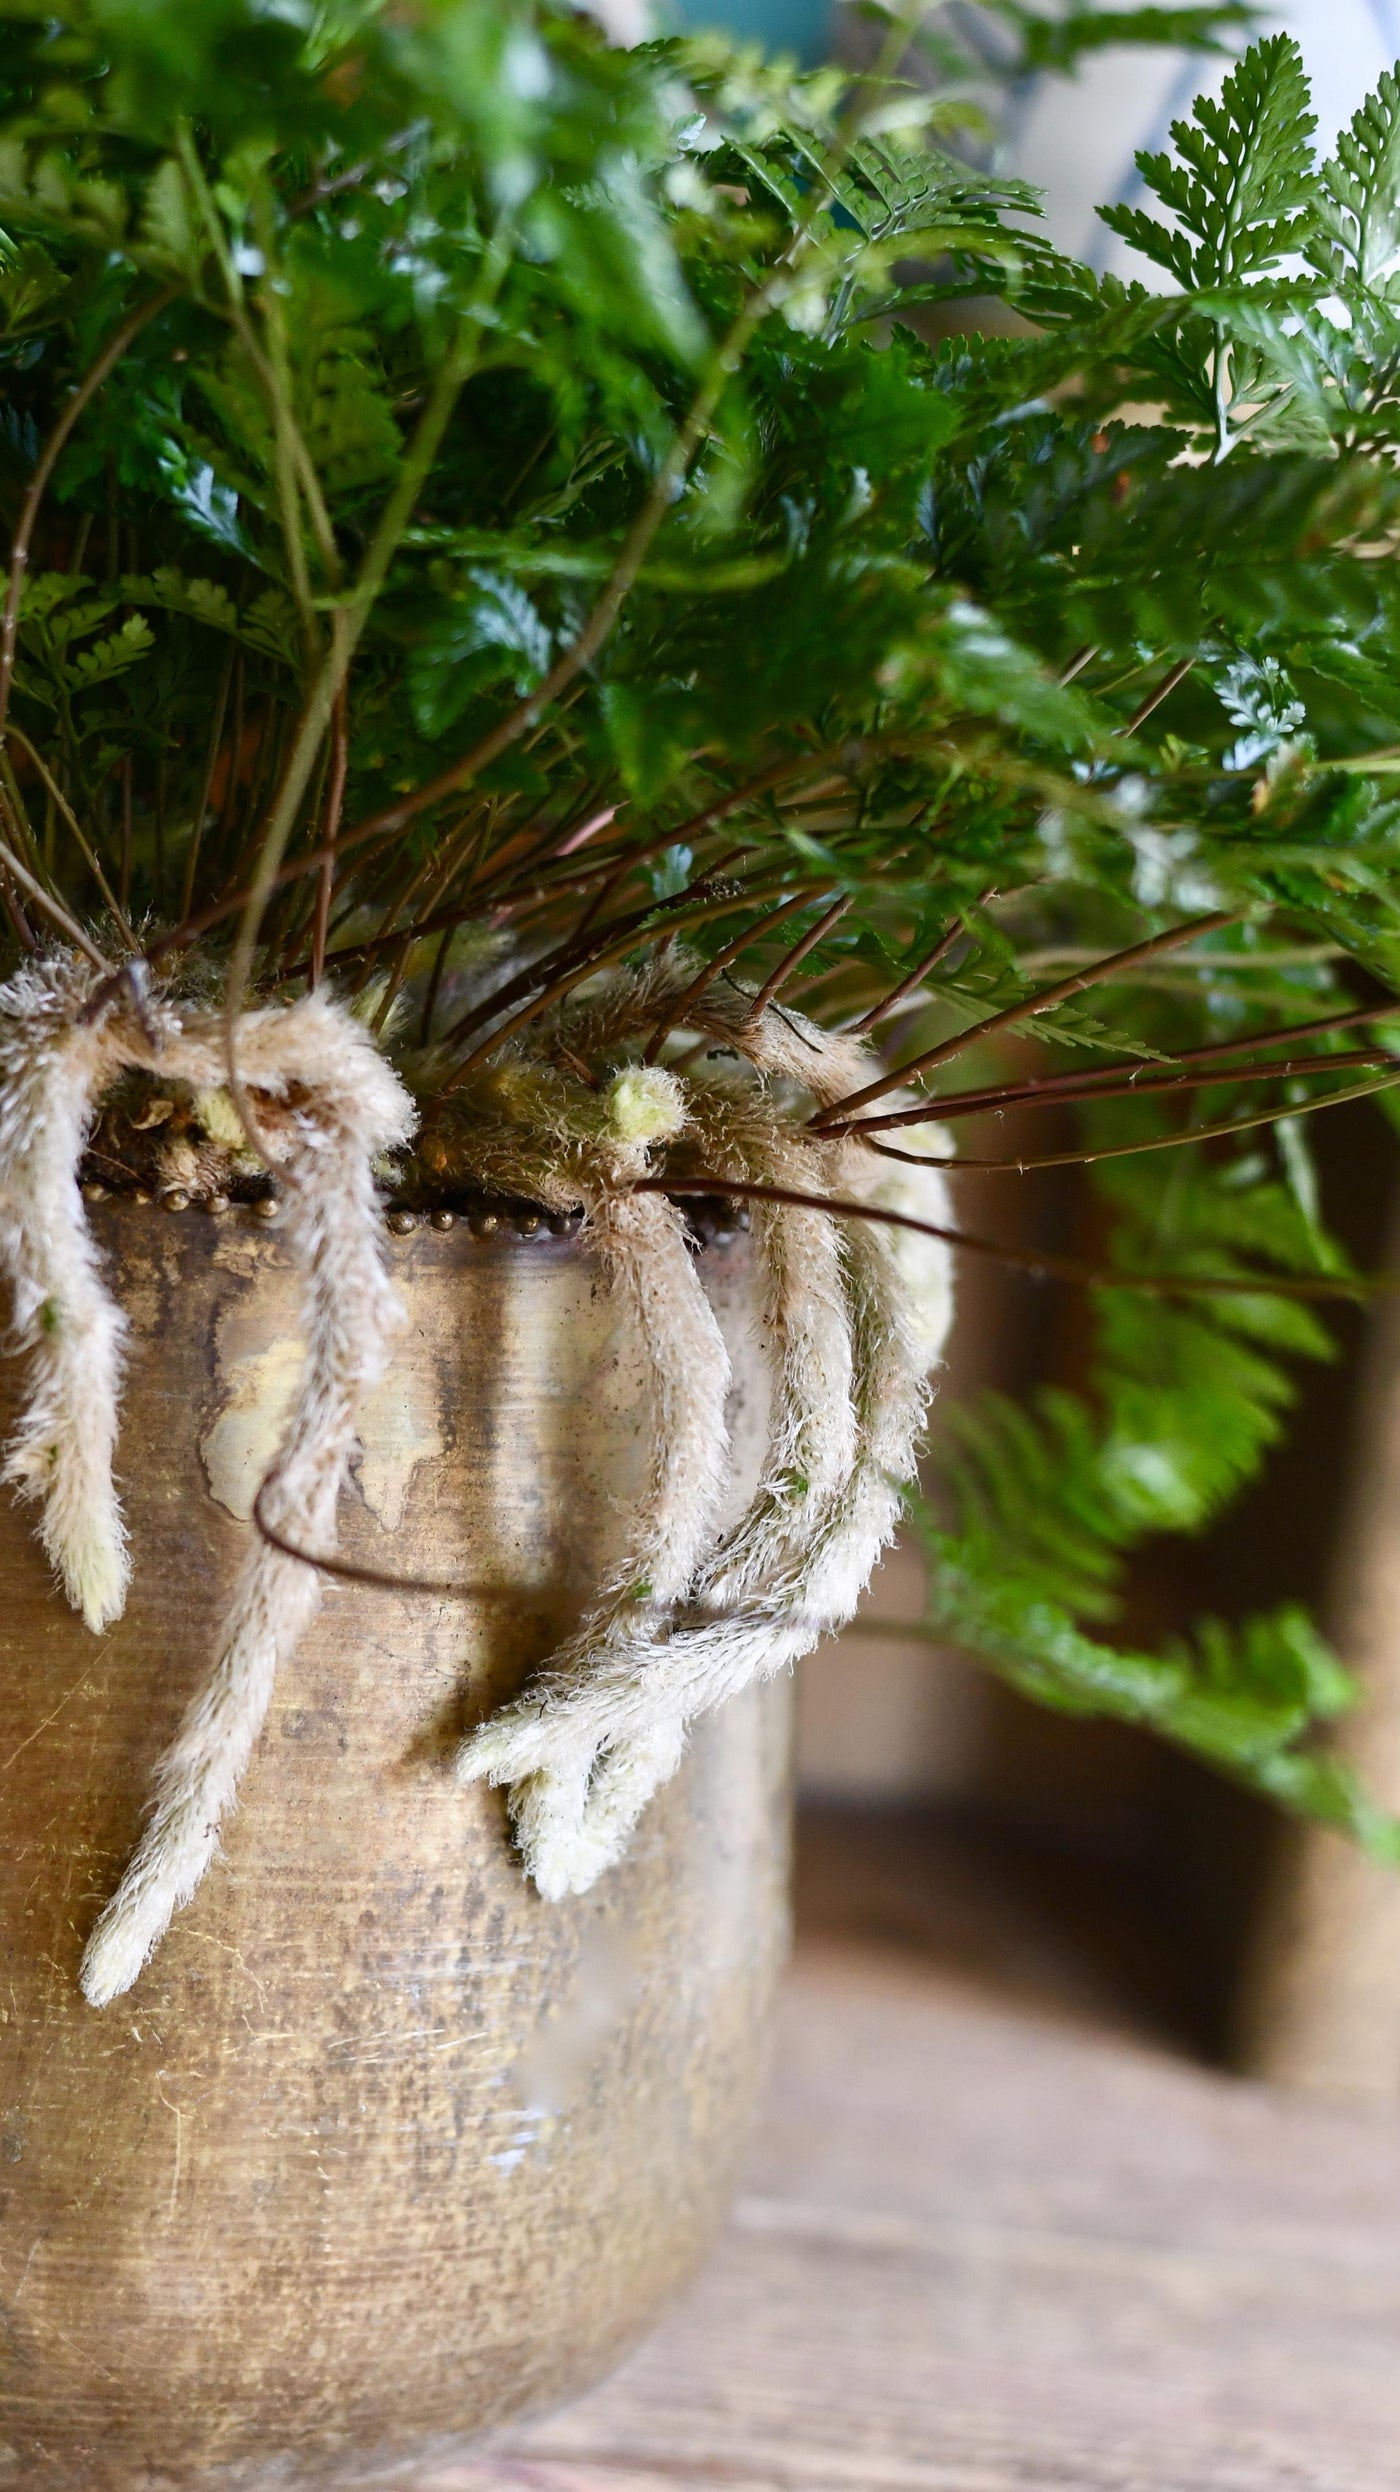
(1322, 2000)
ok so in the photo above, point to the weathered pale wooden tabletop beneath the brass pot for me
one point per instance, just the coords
(1000, 2239)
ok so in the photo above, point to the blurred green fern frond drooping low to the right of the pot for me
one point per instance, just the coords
(1052, 1499)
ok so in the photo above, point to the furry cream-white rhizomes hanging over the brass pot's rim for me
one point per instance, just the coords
(856, 1317)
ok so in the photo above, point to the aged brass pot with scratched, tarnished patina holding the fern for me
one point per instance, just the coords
(382, 2149)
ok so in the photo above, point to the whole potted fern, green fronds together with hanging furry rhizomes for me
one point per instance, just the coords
(539, 607)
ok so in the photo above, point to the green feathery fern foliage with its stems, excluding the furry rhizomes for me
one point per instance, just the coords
(490, 505)
